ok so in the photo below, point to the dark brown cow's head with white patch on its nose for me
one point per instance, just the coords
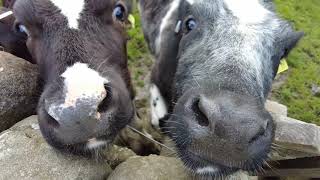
(80, 47)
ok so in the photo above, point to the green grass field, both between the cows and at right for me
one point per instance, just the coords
(304, 61)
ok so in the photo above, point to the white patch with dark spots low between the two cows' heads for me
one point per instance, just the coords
(158, 105)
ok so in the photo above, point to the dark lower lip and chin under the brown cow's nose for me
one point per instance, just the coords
(89, 145)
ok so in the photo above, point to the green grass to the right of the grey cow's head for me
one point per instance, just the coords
(304, 61)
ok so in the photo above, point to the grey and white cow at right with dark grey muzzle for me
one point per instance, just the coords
(215, 62)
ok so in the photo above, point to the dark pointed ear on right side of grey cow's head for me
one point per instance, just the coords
(290, 42)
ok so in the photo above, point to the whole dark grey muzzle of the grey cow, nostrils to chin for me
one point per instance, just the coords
(222, 127)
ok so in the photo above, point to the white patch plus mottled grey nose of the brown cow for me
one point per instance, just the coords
(75, 107)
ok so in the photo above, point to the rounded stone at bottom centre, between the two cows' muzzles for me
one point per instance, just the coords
(150, 167)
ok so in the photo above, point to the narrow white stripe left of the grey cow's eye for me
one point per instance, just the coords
(164, 22)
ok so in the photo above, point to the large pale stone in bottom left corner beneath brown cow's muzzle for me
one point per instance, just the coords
(24, 154)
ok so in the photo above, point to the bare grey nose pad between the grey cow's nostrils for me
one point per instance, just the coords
(229, 120)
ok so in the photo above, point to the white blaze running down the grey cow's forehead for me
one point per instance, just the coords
(251, 14)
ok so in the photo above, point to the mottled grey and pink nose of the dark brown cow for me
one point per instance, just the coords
(77, 116)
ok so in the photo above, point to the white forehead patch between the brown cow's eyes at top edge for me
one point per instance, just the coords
(71, 10)
